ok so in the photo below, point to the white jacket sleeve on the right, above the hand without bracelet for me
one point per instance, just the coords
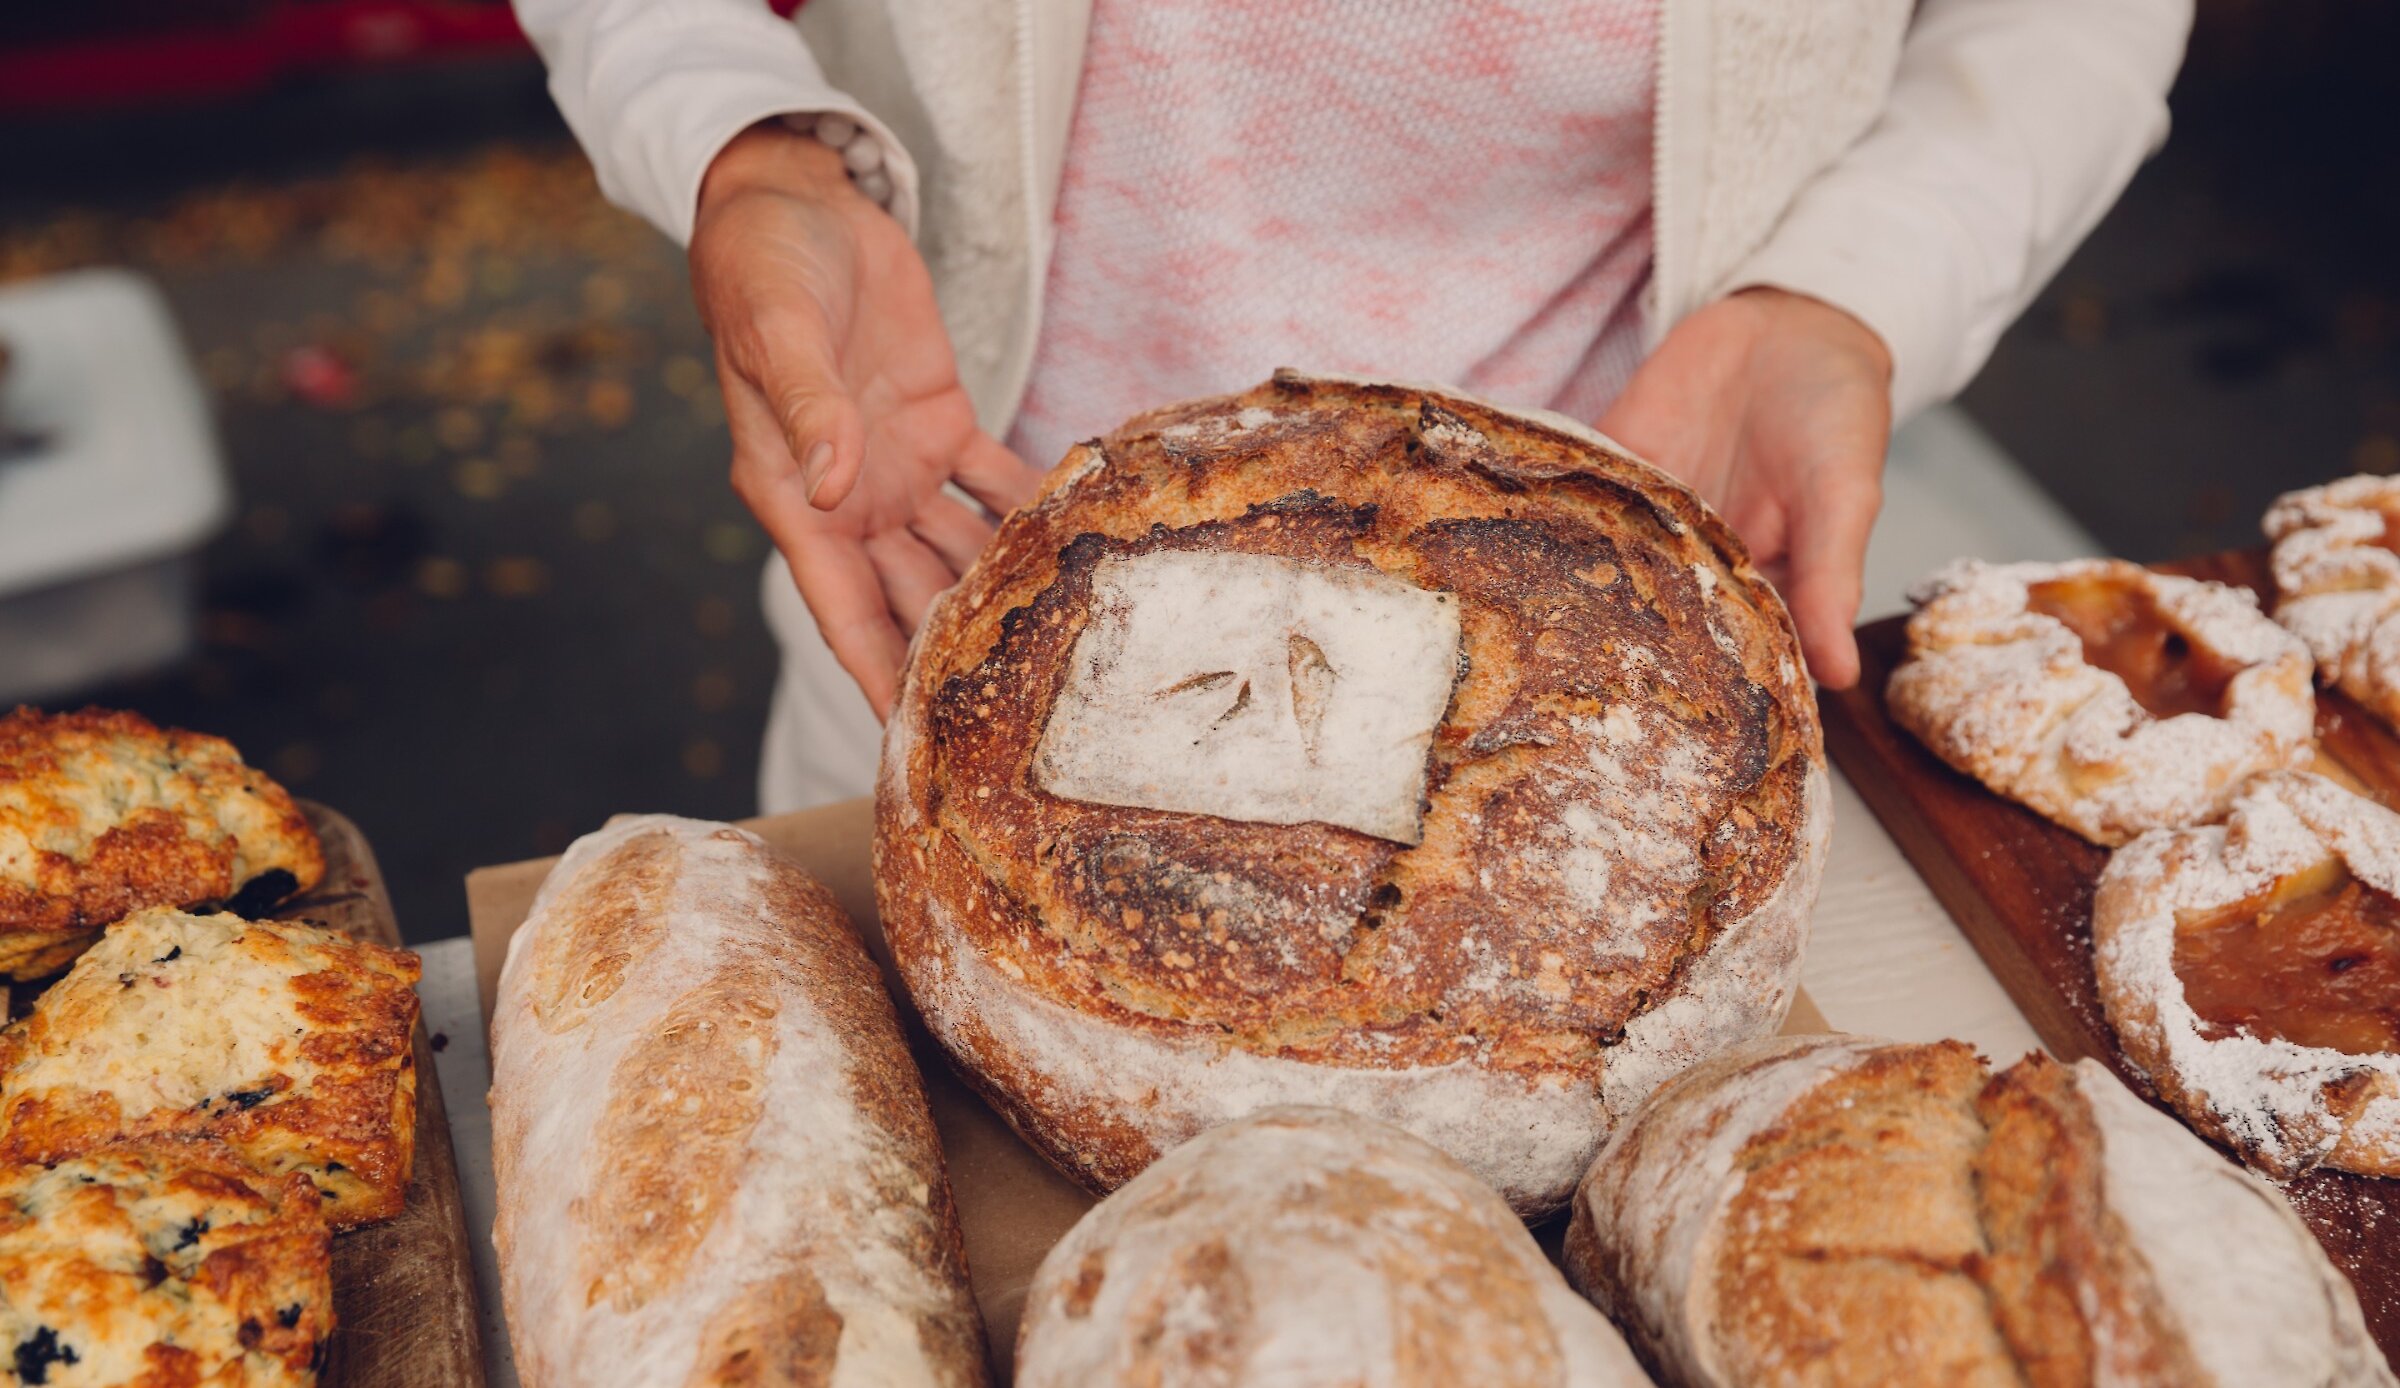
(2012, 126)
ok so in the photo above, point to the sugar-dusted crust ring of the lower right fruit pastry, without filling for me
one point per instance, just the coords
(2284, 1106)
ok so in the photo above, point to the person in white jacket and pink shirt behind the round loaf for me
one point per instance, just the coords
(942, 241)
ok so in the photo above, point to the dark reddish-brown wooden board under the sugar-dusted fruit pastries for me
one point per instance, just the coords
(2022, 890)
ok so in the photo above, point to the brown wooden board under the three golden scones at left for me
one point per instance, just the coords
(404, 1291)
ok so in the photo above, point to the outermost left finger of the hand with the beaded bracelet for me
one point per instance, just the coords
(829, 568)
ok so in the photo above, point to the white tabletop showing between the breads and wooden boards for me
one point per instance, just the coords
(1885, 959)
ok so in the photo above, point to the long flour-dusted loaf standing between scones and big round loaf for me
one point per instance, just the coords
(714, 1154)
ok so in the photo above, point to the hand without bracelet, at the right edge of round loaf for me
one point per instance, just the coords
(1777, 409)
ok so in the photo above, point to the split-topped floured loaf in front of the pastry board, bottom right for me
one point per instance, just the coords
(1844, 1211)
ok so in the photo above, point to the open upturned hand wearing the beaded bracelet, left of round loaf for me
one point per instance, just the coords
(844, 397)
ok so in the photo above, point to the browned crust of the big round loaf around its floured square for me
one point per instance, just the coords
(1621, 777)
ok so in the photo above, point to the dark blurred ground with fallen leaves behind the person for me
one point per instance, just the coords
(407, 467)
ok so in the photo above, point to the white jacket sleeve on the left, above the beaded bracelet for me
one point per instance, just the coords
(656, 88)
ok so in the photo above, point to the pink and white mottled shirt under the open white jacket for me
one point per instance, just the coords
(1405, 189)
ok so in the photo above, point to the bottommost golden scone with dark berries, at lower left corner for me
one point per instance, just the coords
(162, 1264)
